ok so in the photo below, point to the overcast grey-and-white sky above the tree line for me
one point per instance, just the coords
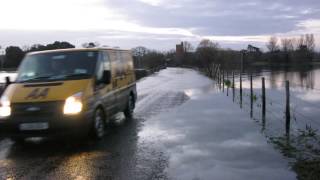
(157, 24)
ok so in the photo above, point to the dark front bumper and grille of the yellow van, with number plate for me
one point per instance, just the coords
(49, 121)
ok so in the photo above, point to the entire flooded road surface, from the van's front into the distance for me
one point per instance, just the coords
(183, 128)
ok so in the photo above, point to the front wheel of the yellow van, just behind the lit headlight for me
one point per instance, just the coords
(98, 126)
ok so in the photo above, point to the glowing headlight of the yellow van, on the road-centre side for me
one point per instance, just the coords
(73, 104)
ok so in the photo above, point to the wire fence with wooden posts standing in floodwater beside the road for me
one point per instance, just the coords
(272, 104)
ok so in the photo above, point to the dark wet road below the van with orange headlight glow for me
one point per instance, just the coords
(115, 156)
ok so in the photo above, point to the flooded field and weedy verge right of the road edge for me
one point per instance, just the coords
(297, 137)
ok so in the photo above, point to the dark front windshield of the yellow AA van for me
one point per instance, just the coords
(57, 66)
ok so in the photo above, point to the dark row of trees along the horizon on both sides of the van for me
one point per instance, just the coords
(206, 53)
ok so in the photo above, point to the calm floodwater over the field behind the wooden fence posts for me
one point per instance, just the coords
(304, 96)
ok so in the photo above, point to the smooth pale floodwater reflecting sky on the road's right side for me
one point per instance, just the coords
(206, 140)
